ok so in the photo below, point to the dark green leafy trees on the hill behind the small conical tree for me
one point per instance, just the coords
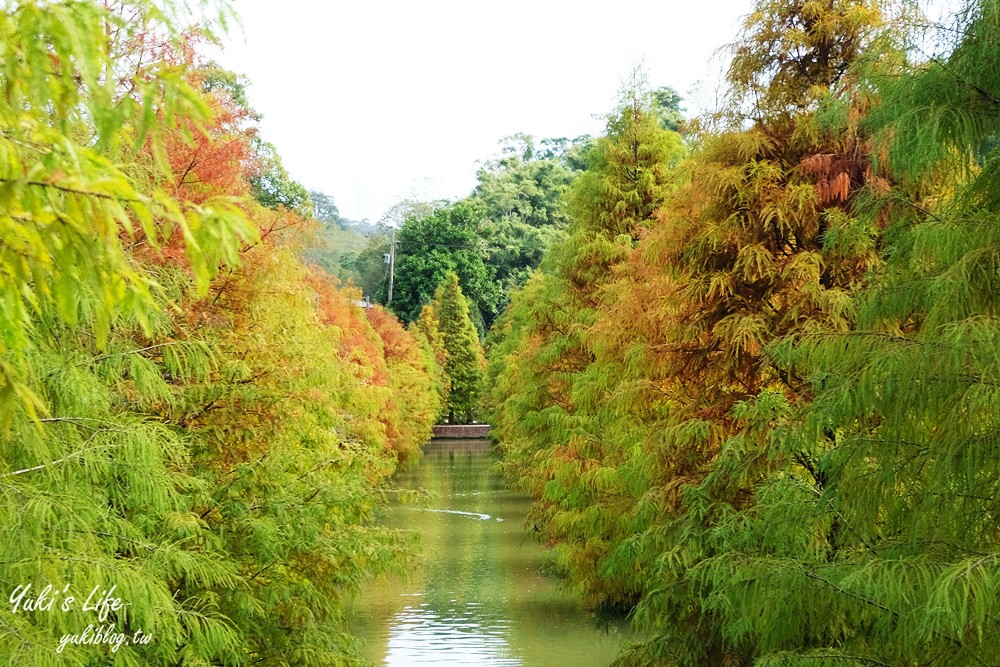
(515, 213)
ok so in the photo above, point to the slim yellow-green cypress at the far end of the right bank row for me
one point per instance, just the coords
(543, 381)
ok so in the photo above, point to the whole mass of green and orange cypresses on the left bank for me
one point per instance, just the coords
(188, 413)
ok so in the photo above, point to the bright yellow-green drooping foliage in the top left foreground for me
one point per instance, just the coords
(68, 115)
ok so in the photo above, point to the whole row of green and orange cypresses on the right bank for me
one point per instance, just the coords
(753, 392)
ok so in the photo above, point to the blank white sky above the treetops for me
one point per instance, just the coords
(374, 101)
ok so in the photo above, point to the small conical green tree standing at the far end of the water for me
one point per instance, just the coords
(464, 363)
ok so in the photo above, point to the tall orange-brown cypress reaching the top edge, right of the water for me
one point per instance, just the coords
(763, 243)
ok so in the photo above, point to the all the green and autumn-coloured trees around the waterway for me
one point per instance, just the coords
(743, 364)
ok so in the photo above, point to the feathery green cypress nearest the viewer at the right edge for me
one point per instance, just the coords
(875, 540)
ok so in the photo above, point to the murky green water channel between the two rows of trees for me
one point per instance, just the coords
(480, 597)
